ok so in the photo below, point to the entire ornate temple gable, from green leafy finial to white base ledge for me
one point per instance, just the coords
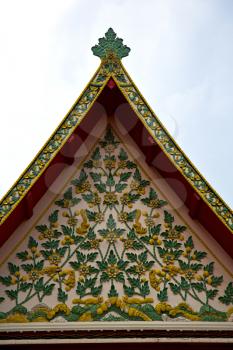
(110, 233)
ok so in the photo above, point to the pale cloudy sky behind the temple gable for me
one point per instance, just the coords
(181, 60)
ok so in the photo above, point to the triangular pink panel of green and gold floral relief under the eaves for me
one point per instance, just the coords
(112, 250)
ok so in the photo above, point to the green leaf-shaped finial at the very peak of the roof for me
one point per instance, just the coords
(110, 45)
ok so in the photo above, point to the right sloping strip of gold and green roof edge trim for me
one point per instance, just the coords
(172, 150)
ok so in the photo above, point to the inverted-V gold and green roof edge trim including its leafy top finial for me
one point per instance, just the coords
(111, 49)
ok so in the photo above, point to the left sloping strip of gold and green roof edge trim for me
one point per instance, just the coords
(52, 146)
